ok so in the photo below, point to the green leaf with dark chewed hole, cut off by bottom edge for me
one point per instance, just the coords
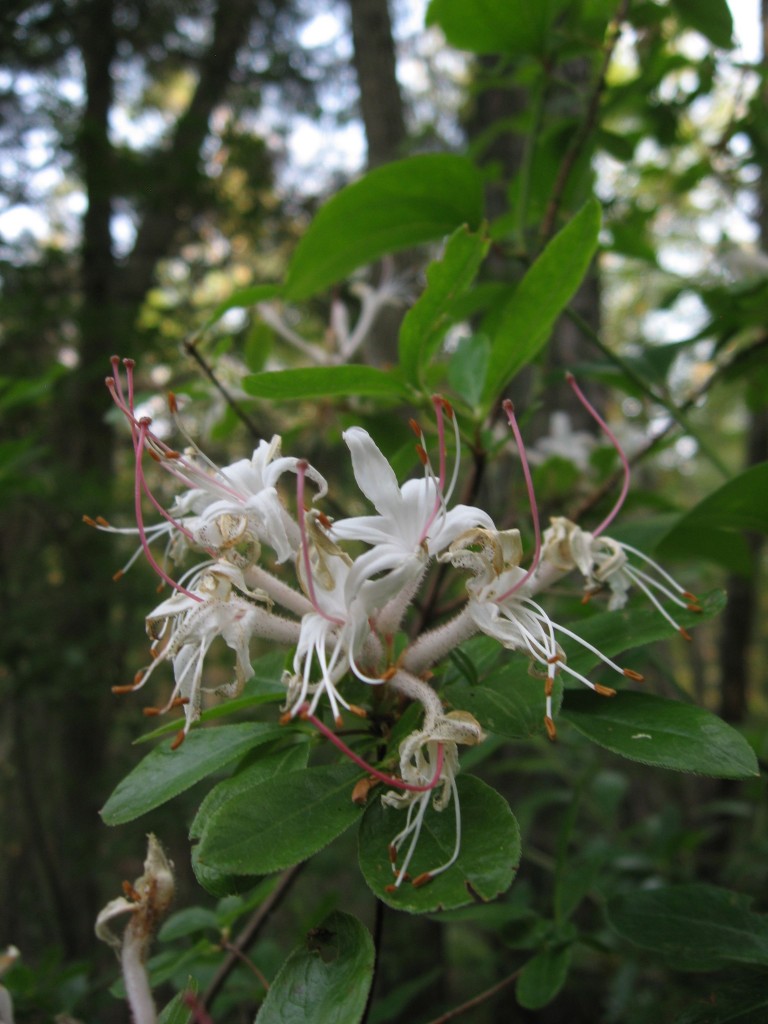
(326, 980)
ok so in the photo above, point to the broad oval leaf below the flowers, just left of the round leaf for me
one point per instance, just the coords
(283, 824)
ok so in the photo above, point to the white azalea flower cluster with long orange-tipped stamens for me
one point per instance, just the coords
(345, 611)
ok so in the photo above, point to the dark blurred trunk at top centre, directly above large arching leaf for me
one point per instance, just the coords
(381, 101)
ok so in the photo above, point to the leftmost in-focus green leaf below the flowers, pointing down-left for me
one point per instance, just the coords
(164, 774)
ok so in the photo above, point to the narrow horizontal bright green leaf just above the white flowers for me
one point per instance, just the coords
(325, 382)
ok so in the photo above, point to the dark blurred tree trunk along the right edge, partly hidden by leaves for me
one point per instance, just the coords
(741, 615)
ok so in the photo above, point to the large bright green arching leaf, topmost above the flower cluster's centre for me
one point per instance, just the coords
(404, 204)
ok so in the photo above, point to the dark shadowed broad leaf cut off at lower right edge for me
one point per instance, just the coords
(696, 927)
